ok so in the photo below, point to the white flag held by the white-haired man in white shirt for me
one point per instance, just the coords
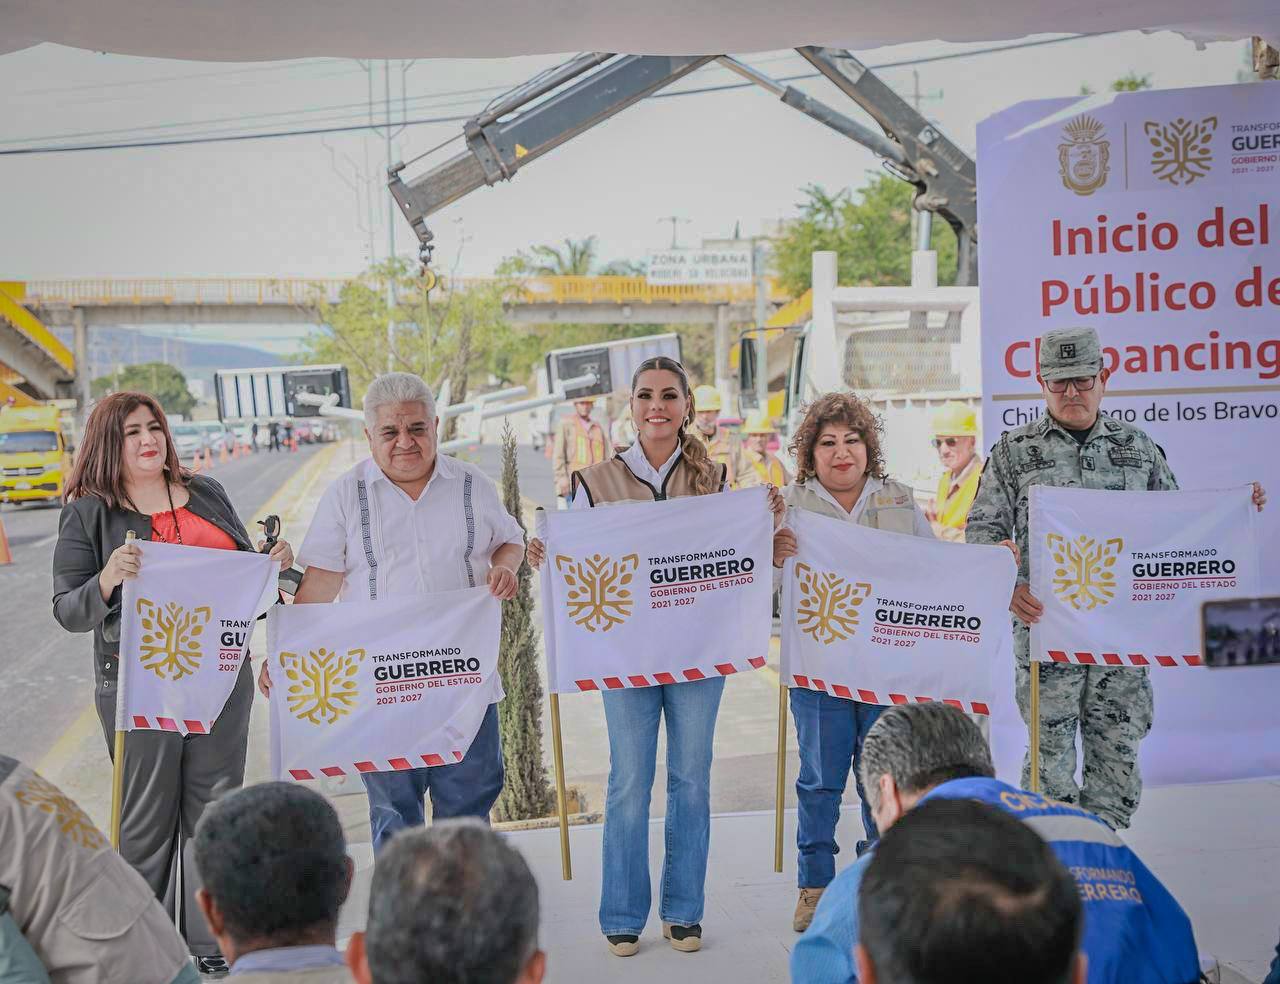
(376, 686)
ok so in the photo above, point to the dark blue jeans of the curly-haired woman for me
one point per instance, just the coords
(831, 733)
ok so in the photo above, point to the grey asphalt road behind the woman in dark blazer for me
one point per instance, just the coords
(48, 676)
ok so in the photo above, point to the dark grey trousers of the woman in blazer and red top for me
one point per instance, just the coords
(170, 780)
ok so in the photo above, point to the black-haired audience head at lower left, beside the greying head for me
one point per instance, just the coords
(273, 861)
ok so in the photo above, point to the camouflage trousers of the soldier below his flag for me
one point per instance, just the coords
(1113, 710)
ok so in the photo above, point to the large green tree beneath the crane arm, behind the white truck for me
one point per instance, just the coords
(871, 231)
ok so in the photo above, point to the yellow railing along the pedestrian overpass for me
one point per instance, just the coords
(308, 291)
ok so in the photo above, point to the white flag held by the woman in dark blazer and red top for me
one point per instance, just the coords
(186, 621)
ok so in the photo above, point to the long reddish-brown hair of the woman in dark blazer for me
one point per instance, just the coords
(99, 468)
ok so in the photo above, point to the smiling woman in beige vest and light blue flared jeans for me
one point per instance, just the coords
(666, 461)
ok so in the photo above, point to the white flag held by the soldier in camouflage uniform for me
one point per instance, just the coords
(1123, 575)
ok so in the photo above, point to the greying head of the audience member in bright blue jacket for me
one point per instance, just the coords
(913, 748)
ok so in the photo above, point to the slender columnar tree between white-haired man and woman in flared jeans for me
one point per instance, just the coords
(527, 793)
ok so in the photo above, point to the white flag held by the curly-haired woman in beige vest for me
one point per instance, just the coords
(889, 619)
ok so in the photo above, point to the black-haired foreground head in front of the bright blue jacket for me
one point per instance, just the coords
(959, 893)
